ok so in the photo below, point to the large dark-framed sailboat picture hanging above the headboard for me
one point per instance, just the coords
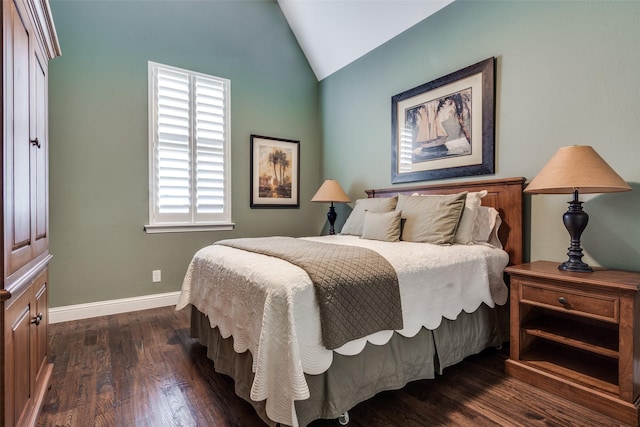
(445, 128)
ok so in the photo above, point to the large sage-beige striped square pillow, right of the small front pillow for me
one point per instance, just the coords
(431, 218)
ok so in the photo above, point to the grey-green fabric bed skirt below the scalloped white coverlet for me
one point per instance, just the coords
(354, 379)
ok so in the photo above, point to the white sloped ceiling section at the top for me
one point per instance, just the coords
(334, 33)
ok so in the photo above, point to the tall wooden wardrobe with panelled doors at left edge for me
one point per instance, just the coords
(29, 41)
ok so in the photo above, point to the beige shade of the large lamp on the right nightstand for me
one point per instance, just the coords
(577, 167)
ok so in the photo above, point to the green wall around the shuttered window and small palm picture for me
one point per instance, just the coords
(98, 134)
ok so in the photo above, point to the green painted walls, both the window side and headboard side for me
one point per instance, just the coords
(566, 74)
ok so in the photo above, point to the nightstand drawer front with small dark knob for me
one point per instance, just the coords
(584, 304)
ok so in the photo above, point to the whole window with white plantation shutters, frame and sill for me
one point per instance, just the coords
(189, 157)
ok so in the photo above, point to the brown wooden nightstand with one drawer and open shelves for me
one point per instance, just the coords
(578, 335)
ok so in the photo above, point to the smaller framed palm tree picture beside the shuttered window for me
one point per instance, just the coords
(275, 172)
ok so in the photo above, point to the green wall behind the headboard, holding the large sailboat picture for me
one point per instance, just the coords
(567, 74)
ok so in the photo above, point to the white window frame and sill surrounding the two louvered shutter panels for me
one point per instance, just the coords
(193, 224)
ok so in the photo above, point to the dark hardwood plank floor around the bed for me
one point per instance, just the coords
(142, 369)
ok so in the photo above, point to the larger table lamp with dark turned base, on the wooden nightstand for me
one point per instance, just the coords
(576, 169)
